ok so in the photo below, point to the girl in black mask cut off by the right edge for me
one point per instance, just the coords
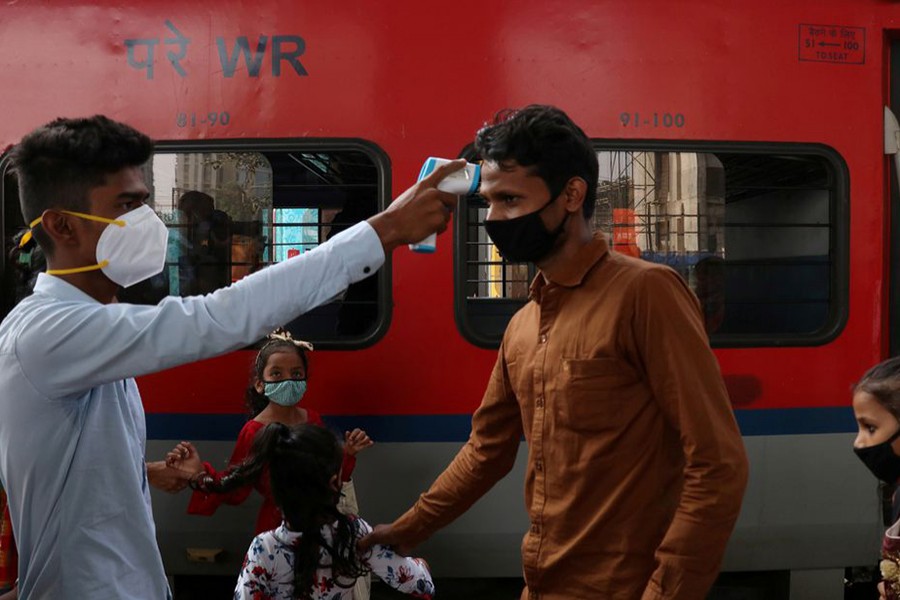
(876, 406)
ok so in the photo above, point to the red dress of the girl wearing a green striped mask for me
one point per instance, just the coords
(203, 503)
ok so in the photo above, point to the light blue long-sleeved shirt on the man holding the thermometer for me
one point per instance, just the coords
(72, 430)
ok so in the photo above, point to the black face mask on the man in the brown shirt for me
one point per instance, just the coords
(524, 239)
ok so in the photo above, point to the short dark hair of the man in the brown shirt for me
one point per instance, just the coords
(546, 140)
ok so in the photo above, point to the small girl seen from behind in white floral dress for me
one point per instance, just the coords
(312, 555)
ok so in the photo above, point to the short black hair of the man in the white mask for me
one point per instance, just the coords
(58, 164)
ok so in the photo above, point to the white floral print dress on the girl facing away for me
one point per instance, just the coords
(268, 571)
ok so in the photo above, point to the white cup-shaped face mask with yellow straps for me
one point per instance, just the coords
(130, 249)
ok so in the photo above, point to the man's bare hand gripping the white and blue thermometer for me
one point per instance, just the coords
(418, 212)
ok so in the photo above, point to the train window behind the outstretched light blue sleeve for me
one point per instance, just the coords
(233, 211)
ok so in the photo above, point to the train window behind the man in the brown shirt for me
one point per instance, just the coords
(758, 232)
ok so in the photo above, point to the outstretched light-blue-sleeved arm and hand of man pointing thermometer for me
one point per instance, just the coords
(89, 344)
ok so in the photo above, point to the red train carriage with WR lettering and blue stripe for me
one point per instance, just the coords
(741, 143)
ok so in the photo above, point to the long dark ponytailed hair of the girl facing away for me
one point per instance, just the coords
(303, 461)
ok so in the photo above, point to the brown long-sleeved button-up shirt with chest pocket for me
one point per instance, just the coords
(636, 468)
